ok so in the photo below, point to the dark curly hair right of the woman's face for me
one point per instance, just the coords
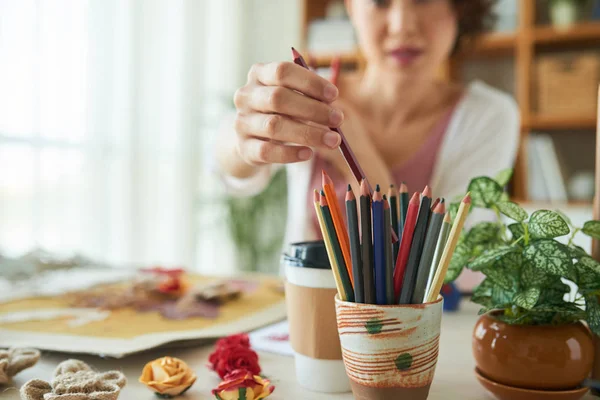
(474, 18)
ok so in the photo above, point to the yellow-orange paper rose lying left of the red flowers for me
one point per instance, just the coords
(168, 376)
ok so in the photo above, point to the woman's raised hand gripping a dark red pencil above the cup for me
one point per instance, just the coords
(283, 111)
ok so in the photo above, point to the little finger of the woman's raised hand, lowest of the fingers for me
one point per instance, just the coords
(259, 152)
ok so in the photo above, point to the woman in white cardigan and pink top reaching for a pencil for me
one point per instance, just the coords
(403, 123)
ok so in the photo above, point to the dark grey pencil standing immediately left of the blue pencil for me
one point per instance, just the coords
(367, 243)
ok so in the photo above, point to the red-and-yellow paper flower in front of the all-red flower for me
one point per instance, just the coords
(242, 385)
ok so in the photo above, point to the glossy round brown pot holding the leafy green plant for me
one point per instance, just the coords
(533, 357)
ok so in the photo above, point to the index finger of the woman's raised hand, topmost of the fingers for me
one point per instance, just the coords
(294, 77)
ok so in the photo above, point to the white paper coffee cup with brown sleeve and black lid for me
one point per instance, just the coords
(310, 293)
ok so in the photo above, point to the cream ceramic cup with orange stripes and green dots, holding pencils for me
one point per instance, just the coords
(389, 351)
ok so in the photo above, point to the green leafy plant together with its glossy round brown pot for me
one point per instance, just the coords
(539, 295)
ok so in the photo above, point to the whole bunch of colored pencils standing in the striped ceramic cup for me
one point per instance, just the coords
(367, 265)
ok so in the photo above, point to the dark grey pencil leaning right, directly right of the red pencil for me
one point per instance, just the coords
(416, 248)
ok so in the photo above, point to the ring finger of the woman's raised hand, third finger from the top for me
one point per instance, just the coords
(282, 129)
